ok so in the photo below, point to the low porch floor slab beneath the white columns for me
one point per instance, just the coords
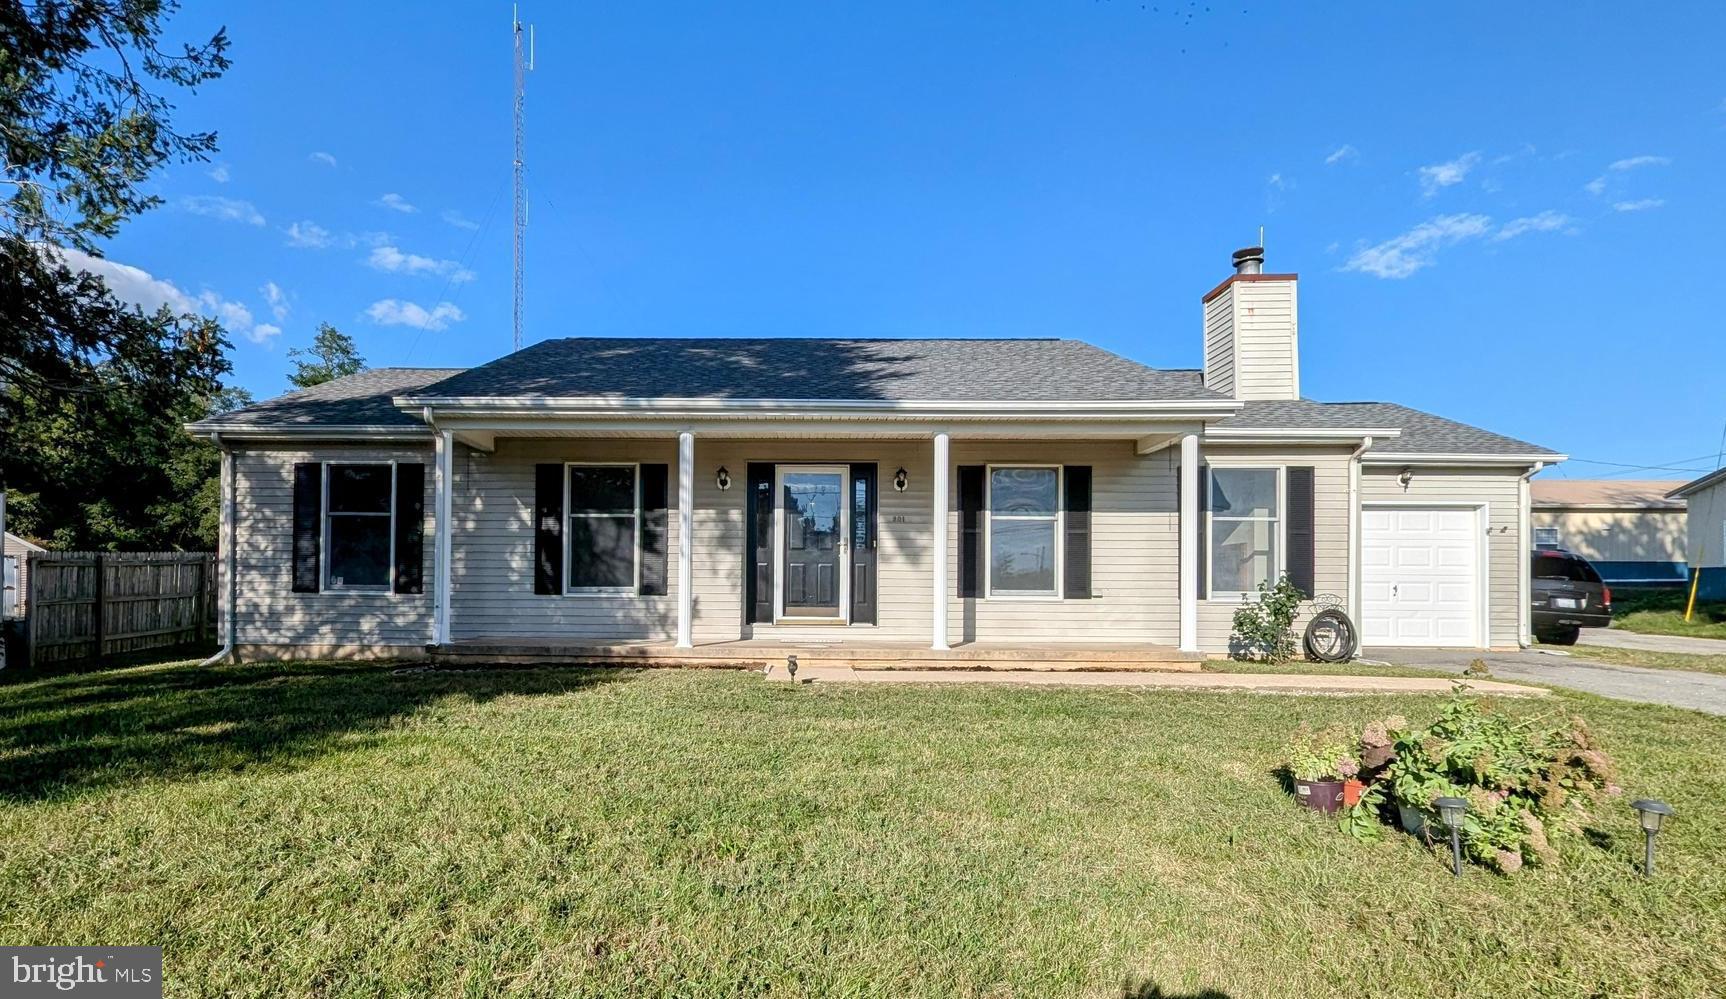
(845, 653)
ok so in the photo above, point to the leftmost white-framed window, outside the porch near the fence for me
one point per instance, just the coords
(360, 525)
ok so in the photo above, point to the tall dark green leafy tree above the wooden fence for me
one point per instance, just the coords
(92, 393)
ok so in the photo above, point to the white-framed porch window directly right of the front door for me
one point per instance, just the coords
(1024, 531)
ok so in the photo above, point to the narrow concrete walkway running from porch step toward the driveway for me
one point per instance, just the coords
(1261, 682)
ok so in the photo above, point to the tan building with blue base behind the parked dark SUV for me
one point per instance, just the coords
(1630, 531)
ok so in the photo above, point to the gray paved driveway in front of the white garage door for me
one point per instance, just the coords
(1675, 688)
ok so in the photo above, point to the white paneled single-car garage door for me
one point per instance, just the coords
(1420, 577)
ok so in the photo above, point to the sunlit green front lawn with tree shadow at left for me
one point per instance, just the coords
(341, 831)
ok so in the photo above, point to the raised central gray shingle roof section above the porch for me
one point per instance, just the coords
(824, 370)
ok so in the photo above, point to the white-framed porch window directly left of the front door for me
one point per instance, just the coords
(603, 546)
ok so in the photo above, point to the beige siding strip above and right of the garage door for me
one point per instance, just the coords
(1504, 536)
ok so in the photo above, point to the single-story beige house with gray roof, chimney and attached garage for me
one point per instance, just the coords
(914, 493)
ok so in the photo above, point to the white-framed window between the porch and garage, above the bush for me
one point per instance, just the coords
(1245, 529)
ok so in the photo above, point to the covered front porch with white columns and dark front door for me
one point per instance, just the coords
(709, 534)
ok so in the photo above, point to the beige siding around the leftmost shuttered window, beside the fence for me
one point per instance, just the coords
(332, 622)
